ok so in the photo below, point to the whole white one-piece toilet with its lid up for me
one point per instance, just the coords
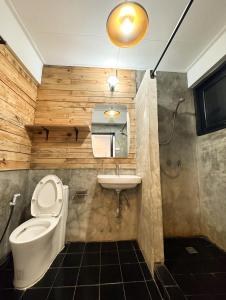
(36, 242)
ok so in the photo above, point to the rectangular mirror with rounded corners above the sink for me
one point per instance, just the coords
(110, 132)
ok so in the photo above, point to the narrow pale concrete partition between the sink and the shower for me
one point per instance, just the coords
(150, 231)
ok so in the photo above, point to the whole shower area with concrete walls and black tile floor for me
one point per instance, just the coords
(193, 188)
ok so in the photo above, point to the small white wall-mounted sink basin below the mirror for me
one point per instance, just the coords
(119, 182)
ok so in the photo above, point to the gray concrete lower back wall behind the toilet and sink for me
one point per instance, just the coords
(93, 218)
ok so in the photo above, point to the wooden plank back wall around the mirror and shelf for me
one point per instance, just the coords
(71, 93)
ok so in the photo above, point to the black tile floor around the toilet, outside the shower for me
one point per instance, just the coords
(89, 271)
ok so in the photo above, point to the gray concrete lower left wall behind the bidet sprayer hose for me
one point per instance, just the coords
(12, 182)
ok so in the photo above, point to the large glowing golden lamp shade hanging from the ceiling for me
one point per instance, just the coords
(127, 24)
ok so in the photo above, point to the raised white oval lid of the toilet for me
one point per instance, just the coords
(47, 198)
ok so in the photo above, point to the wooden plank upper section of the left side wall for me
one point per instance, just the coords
(18, 94)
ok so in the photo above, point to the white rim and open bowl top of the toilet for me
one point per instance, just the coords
(32, 230)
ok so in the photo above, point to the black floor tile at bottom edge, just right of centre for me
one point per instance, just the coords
(136, 290)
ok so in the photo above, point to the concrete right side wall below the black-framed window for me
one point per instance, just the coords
(212, 180)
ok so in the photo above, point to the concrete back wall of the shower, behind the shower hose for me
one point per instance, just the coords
(180, 191)
